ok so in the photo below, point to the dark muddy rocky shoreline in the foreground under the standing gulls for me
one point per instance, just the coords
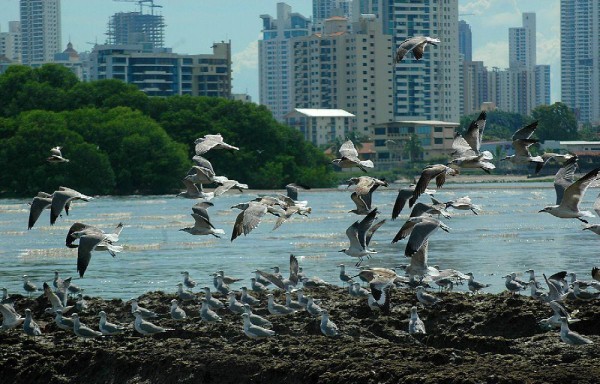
(470, 339)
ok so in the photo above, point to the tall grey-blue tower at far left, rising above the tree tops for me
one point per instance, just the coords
(40, 30)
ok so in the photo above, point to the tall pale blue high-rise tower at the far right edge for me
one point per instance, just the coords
(580, 58)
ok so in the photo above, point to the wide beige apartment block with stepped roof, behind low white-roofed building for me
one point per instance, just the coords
(346, 68)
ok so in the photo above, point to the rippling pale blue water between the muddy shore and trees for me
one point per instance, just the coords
(508, 235)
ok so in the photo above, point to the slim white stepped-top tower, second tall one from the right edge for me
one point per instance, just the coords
(521, 43)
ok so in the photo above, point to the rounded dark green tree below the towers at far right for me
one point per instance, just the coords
(555, 122)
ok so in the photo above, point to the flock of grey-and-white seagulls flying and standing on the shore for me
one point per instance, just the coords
(417, 274)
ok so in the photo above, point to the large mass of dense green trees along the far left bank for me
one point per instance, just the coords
(120, 141)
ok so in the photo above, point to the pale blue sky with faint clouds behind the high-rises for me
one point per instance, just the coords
(193, 25)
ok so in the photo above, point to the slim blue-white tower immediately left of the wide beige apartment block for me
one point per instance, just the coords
(275, 74)
